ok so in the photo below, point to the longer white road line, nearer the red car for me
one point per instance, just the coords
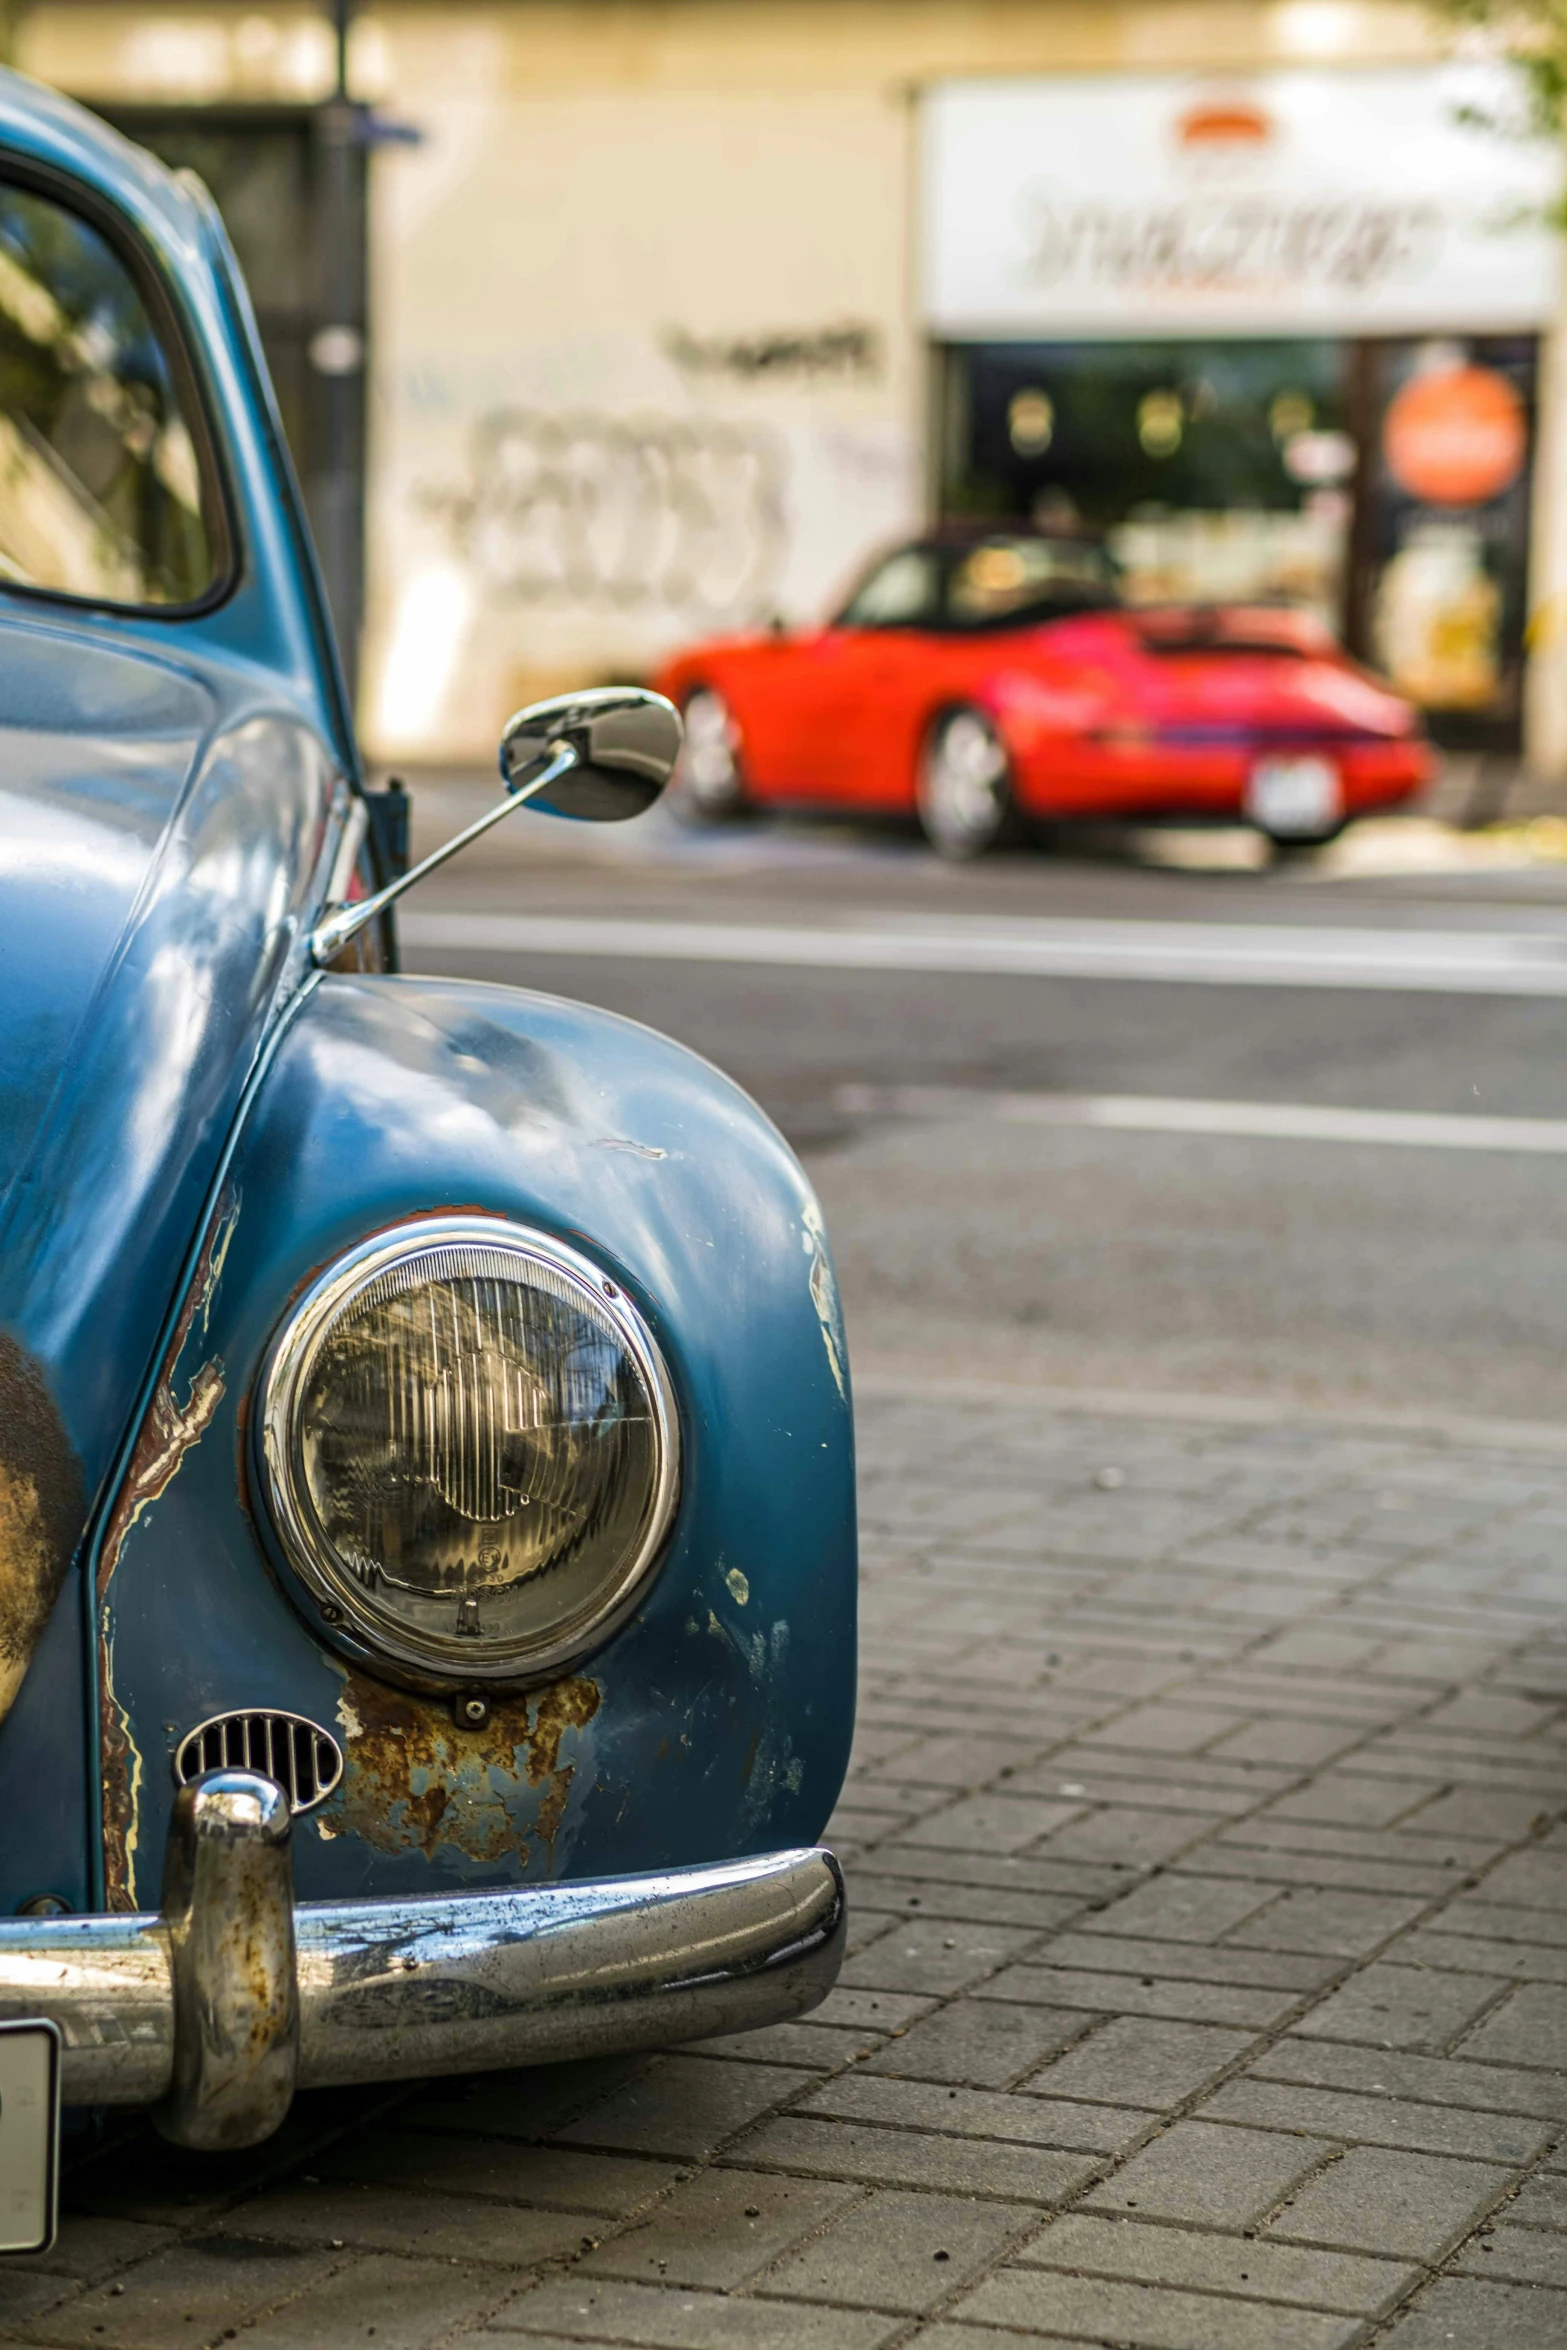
(1204, 953)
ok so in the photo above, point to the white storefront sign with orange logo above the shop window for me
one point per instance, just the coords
(1310, 201)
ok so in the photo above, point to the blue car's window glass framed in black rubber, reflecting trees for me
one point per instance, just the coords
(102, 492)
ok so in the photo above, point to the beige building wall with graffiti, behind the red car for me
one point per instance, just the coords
(647, 354)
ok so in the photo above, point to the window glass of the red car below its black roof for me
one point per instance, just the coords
(1000, 582)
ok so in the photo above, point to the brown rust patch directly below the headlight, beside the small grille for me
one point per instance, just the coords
(417, 1782)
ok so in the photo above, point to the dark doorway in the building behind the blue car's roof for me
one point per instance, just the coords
(290, 184)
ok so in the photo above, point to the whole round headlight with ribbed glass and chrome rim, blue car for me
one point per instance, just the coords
(471, 1449)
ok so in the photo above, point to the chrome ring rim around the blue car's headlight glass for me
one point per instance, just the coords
(339, 1611)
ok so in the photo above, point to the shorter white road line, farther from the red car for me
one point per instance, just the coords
(1270, 1122)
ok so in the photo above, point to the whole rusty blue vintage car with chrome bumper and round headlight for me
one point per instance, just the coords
(426, 1475)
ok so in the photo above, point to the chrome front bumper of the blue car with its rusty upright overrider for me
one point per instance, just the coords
(234, 1999)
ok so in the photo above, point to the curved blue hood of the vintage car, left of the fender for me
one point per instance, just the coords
(159, 840)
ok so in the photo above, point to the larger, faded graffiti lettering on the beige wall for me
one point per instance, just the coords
(621, 513)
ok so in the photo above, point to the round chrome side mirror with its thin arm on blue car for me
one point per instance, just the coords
(598, 758)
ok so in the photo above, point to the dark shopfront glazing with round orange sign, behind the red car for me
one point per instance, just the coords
(1380, 485)
